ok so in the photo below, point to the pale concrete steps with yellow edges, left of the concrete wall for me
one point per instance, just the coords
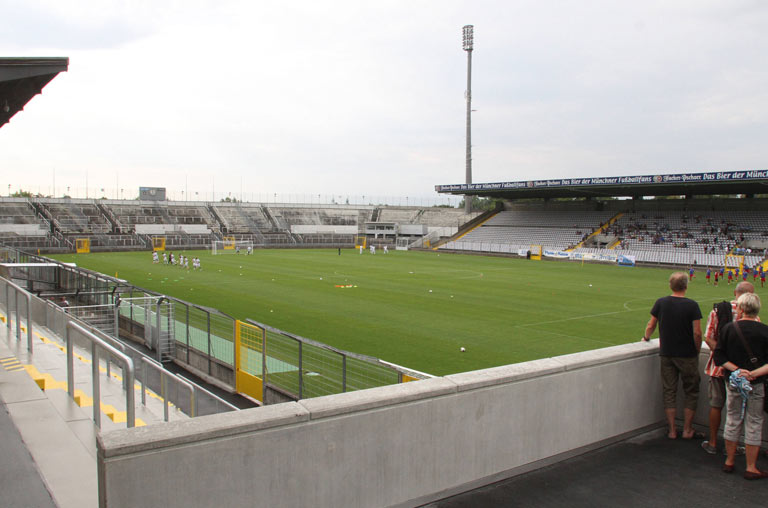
(48, 445)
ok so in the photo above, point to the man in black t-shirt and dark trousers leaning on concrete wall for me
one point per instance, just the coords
(679, 320)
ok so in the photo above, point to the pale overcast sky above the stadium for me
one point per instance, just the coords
(352, 98)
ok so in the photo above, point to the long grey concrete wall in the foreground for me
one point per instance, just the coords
(397, 445)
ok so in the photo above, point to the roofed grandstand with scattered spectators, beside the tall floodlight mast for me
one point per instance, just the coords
(697, 219)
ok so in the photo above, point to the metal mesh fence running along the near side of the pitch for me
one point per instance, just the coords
(300, 367)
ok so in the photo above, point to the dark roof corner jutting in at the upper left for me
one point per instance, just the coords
(23, 78)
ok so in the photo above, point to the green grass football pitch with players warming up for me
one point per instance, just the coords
(417, 309)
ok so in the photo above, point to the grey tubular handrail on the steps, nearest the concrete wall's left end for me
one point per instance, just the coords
(125, 360)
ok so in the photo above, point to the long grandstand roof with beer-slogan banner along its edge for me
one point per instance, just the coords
(748, 182)
